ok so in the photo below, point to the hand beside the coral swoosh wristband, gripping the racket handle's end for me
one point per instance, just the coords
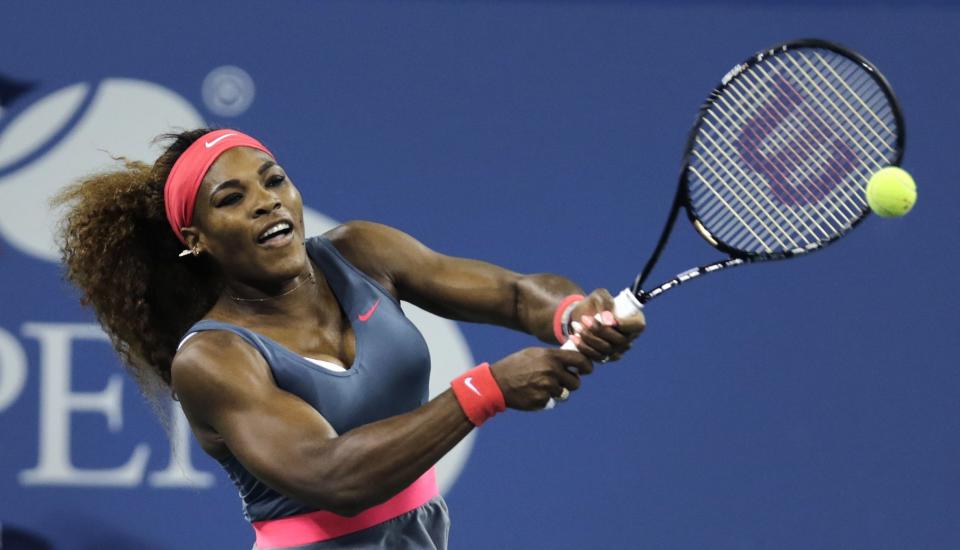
(530, 377)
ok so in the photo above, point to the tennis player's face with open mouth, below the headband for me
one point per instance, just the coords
(249, 217)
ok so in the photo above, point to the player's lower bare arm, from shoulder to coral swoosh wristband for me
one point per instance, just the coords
(225, 385)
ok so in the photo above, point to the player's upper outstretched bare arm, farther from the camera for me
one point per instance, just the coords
(456, 288)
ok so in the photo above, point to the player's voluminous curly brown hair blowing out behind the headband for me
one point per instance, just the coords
(119, 250)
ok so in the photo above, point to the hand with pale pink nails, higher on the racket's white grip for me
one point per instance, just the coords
(603, 337)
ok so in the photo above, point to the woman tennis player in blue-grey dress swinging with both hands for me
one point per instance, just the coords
(291, 357)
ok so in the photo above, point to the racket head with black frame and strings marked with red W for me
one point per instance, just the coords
(778, 160)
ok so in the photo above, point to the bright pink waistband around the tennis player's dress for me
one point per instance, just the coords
(323, 525)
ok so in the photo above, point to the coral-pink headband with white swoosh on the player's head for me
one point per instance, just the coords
(180, 191)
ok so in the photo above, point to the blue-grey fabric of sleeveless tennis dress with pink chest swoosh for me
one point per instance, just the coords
(389, 376)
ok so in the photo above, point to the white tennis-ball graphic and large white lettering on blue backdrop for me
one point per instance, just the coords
(44, 144)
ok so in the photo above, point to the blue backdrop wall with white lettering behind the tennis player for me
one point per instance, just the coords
(813, 403)
